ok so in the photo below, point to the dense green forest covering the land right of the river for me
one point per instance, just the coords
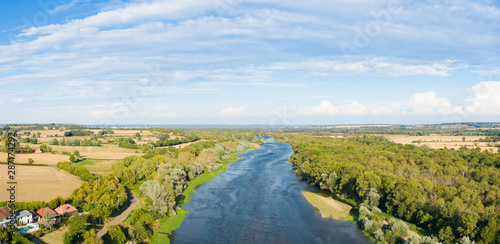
(451, 194)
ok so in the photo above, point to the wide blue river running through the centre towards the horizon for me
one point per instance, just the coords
(258, 199)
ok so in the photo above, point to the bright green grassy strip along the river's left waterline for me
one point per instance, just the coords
(169, 224)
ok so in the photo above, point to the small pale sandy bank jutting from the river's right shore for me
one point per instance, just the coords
(327, 206)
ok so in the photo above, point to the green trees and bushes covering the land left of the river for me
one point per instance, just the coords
(162, 179)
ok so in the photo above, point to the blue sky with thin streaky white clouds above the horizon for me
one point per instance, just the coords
(249, 62)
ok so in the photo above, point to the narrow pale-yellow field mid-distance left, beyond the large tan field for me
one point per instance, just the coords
(106, 151)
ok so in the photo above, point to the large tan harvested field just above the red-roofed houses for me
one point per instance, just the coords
(39, 183)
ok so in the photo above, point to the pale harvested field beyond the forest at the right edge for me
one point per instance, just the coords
(438, 142)
